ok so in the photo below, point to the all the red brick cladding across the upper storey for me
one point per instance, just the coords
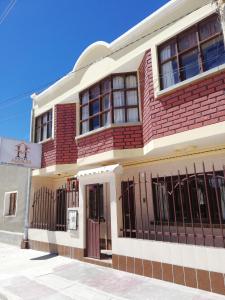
(198, 104)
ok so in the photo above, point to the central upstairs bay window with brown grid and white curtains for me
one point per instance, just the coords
(113, 100)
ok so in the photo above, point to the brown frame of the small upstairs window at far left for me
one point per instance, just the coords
(48, 124)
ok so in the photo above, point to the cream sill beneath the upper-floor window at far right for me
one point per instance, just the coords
(189, 81)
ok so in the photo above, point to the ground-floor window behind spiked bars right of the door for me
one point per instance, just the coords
(190, 198)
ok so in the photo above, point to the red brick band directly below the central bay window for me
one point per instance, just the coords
(110, 139)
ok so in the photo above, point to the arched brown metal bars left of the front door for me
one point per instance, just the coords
(49, 208)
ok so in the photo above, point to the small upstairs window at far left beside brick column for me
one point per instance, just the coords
(43, 127)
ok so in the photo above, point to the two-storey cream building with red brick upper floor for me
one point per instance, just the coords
(134, 145)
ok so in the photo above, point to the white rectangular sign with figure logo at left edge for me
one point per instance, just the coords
(20, 153)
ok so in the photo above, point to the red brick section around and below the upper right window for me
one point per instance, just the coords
(196, 105)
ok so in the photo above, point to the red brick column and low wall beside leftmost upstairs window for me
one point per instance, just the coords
(63, 149)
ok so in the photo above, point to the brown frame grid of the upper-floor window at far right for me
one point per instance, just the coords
(198, 46)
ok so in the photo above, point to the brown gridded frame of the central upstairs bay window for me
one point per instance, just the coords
(110, 110)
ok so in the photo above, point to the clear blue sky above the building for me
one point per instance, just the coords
(40, 41)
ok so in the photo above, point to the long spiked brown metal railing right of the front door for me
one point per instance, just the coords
(187, 208)
